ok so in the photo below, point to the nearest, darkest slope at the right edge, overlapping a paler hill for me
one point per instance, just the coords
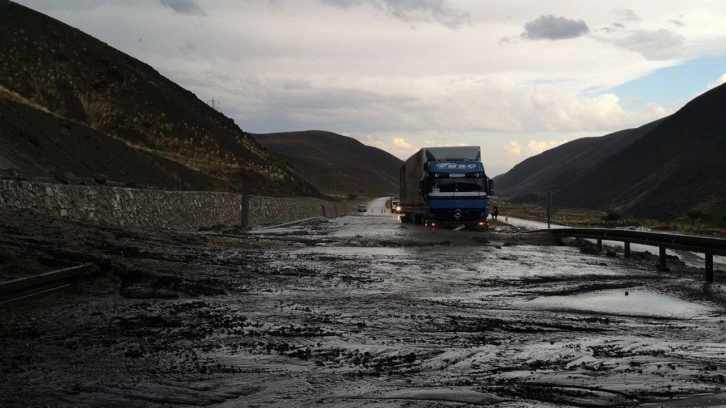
(677, 166)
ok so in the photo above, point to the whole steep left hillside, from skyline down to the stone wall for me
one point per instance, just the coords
(92, 90)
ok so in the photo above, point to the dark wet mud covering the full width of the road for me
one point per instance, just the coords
(359, 311)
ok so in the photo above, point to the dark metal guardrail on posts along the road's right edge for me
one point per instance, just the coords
(706, 245)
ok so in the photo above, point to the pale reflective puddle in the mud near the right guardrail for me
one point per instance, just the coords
(636, 303)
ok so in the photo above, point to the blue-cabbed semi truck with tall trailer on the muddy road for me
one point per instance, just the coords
(445, 187)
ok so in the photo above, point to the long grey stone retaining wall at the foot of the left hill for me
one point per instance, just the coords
(180, 210)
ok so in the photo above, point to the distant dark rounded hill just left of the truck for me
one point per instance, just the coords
(335, 164)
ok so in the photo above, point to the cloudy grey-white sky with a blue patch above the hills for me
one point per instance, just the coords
(514, 77)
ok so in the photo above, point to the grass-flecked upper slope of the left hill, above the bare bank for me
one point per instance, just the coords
(51, 66)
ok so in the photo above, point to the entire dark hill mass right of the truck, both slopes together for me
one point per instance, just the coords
(660, 170)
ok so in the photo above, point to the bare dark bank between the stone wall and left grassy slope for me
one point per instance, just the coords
(38, 143)
